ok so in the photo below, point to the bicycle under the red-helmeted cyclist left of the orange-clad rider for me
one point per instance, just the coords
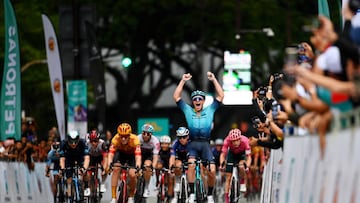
(96, 194)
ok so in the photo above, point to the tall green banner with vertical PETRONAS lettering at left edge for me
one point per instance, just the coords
(10, 103)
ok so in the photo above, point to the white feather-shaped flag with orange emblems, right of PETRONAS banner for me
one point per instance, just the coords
(56, 80)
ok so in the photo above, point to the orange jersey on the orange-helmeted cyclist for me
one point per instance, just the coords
(132, 147)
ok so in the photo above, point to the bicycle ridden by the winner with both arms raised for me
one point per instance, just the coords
(200, 193)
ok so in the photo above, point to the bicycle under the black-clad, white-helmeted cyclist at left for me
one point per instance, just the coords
(76, 189)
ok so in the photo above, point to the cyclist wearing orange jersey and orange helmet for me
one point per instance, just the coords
(124, 148)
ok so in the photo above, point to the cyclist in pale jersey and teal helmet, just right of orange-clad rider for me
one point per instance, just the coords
(150, 147)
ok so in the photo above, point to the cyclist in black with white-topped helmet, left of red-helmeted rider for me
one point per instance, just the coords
(73, 151)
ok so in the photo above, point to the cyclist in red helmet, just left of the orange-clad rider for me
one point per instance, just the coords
(98, 156)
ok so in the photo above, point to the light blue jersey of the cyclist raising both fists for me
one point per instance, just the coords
(199, 125)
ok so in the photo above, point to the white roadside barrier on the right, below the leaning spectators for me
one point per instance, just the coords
(298, 173)
